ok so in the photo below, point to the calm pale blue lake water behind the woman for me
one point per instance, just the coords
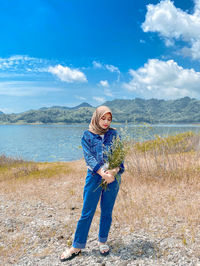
(52, 143)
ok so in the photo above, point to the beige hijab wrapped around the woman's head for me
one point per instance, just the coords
(94, 126)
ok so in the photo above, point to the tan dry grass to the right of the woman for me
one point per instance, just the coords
(160, 192)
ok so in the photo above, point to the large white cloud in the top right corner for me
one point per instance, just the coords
(174, 24)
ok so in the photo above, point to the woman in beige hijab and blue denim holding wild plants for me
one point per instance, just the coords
(95, 141)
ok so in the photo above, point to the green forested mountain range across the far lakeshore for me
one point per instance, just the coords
(183, 110)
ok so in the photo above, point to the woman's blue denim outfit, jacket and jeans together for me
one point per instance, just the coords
(94, 153)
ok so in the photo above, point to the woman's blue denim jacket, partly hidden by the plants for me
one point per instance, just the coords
(94, 149)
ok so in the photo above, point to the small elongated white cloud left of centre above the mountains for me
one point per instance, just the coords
(67, 74)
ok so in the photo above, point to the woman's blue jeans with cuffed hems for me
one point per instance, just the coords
(91, 195)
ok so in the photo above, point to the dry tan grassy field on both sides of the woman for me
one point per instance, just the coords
(159, 194)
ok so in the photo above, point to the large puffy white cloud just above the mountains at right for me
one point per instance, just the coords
(164, 79)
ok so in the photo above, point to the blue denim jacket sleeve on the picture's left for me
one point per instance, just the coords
(89, 158)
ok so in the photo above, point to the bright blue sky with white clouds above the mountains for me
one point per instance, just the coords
(64, 52)
